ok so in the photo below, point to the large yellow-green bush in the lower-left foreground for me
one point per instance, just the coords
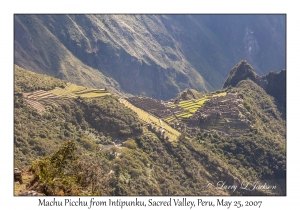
(67, 173)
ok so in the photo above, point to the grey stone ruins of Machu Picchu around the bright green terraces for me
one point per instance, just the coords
(220, 114)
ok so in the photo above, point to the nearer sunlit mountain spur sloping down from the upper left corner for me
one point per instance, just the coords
(39, 50)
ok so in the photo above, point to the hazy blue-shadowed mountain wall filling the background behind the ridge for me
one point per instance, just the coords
(152, 55)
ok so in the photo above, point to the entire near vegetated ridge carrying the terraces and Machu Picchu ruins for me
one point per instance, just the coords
(75, 140)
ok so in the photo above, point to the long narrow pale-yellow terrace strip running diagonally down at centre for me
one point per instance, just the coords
(150, 119)
